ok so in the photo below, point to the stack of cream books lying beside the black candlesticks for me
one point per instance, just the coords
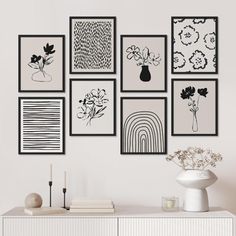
(92, 206)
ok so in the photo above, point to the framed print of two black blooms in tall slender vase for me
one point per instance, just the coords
(195, 107)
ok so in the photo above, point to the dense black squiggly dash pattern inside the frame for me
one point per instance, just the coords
(92, 45)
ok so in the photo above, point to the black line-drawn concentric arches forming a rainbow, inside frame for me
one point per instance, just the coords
(143, 132)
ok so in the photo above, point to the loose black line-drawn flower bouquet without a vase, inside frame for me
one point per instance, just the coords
(93, 105)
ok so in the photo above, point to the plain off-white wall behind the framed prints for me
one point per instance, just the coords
(95, 167)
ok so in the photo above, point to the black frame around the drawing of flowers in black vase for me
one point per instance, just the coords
(165, 76)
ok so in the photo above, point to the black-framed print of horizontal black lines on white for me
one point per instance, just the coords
(41, 125)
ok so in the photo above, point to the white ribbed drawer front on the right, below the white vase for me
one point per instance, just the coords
(176, 227)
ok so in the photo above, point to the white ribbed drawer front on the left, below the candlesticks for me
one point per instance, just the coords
(59, 226)
